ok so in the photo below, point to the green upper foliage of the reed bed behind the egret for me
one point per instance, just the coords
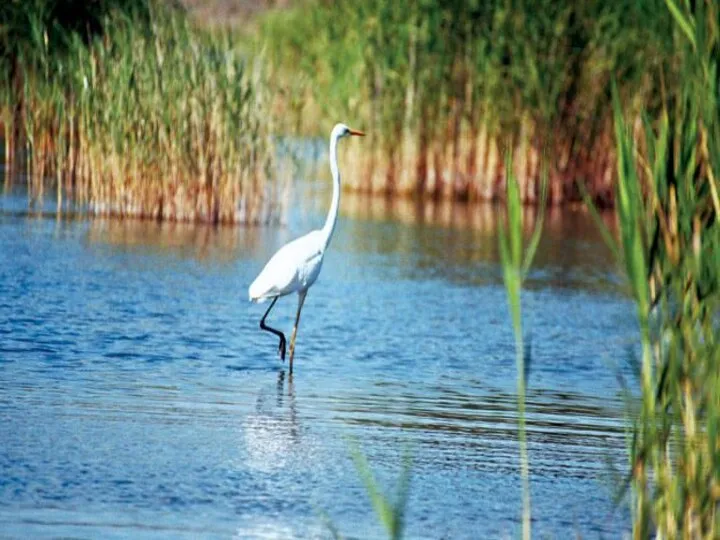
(513, 57)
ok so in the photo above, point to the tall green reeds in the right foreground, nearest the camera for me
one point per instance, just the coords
(668, 211)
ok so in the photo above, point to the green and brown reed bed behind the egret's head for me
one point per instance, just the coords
(446, 88)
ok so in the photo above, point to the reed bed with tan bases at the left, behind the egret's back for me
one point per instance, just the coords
(150, 118)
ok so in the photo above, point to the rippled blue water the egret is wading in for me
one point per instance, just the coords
(138, 397)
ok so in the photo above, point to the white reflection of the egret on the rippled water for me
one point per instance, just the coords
(272, 434)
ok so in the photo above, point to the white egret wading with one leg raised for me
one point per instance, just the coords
(296, 265)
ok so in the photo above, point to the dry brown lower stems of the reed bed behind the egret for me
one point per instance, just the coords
(474, 170)
